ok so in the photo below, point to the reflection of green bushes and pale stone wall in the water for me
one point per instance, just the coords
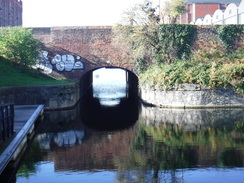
(171, 141)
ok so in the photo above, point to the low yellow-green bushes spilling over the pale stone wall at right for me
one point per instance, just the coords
(201, 69)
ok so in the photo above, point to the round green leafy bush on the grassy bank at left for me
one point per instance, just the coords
(18, 45)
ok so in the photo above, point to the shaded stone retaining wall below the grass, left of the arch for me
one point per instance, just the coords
(52, 96)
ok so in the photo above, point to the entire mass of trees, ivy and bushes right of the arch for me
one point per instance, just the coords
(162, 52)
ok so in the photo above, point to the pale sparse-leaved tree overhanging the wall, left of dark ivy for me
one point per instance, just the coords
(138, 33)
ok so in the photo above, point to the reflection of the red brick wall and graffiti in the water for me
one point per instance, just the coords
(77, 149)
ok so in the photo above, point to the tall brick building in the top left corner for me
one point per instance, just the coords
(10, 13)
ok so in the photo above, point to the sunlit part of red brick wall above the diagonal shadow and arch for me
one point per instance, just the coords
(92, 43)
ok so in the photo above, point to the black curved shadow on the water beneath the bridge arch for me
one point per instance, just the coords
(101, 117)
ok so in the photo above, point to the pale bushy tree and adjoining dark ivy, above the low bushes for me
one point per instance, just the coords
(149, 42)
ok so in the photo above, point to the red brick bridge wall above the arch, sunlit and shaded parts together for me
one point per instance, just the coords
(93, 44)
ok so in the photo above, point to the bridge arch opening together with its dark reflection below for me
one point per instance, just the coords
(109, 98)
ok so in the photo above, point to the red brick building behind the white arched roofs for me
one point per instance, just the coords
(199, 8)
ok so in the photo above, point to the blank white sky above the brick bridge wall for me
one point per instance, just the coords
(47, 13)
